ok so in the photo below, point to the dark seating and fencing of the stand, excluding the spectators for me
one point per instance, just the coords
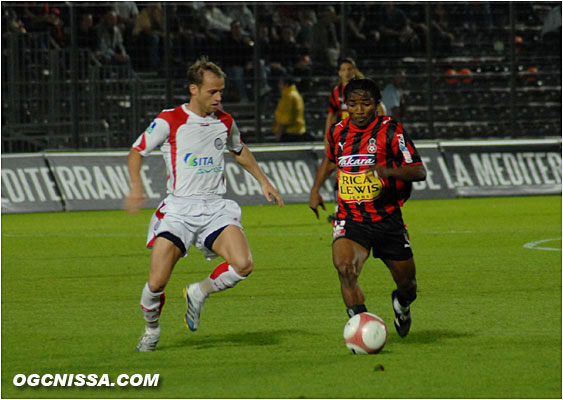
(498, 75)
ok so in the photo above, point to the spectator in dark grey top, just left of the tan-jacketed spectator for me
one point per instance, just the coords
(110, 48)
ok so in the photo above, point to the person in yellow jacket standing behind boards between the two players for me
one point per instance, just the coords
(289, 118)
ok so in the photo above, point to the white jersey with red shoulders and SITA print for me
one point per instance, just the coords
(193, 148)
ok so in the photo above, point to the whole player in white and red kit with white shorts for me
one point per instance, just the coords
(193, 139)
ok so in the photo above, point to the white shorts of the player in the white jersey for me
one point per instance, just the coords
(192, 220)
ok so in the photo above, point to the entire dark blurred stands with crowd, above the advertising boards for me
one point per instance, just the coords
(92, 75)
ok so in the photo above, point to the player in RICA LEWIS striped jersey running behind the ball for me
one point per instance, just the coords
(376, 164)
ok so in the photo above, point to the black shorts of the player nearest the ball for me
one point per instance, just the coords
(387, 239)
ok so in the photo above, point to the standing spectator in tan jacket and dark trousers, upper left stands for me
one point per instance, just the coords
(147, 36)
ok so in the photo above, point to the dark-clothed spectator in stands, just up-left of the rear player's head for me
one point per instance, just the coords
(326, 46)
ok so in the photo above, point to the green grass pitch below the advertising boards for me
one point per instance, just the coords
(486, 324)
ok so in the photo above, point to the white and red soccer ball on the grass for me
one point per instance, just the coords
(365, 333)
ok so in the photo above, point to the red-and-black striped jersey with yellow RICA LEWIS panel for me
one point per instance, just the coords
(362, 196)
